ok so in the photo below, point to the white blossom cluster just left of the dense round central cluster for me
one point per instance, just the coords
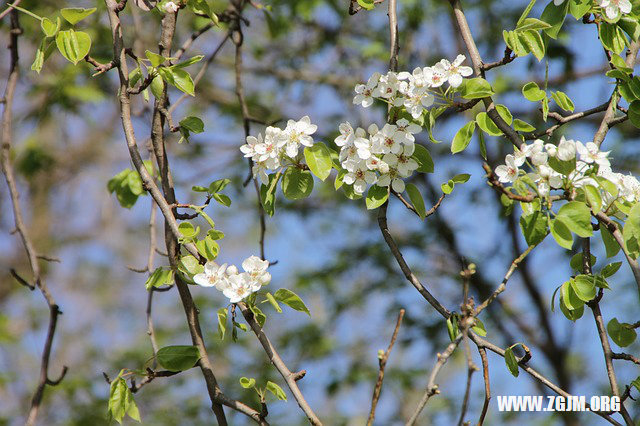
(278, 147)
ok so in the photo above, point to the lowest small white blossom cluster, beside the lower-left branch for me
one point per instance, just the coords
(233, 284)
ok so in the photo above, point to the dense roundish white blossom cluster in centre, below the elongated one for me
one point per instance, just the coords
(377, 156)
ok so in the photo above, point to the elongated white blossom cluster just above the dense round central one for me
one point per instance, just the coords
(413, 91)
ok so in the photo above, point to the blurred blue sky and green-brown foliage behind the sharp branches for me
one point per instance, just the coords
(301, 57)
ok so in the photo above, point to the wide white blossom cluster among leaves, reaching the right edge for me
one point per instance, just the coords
(591, 162)
